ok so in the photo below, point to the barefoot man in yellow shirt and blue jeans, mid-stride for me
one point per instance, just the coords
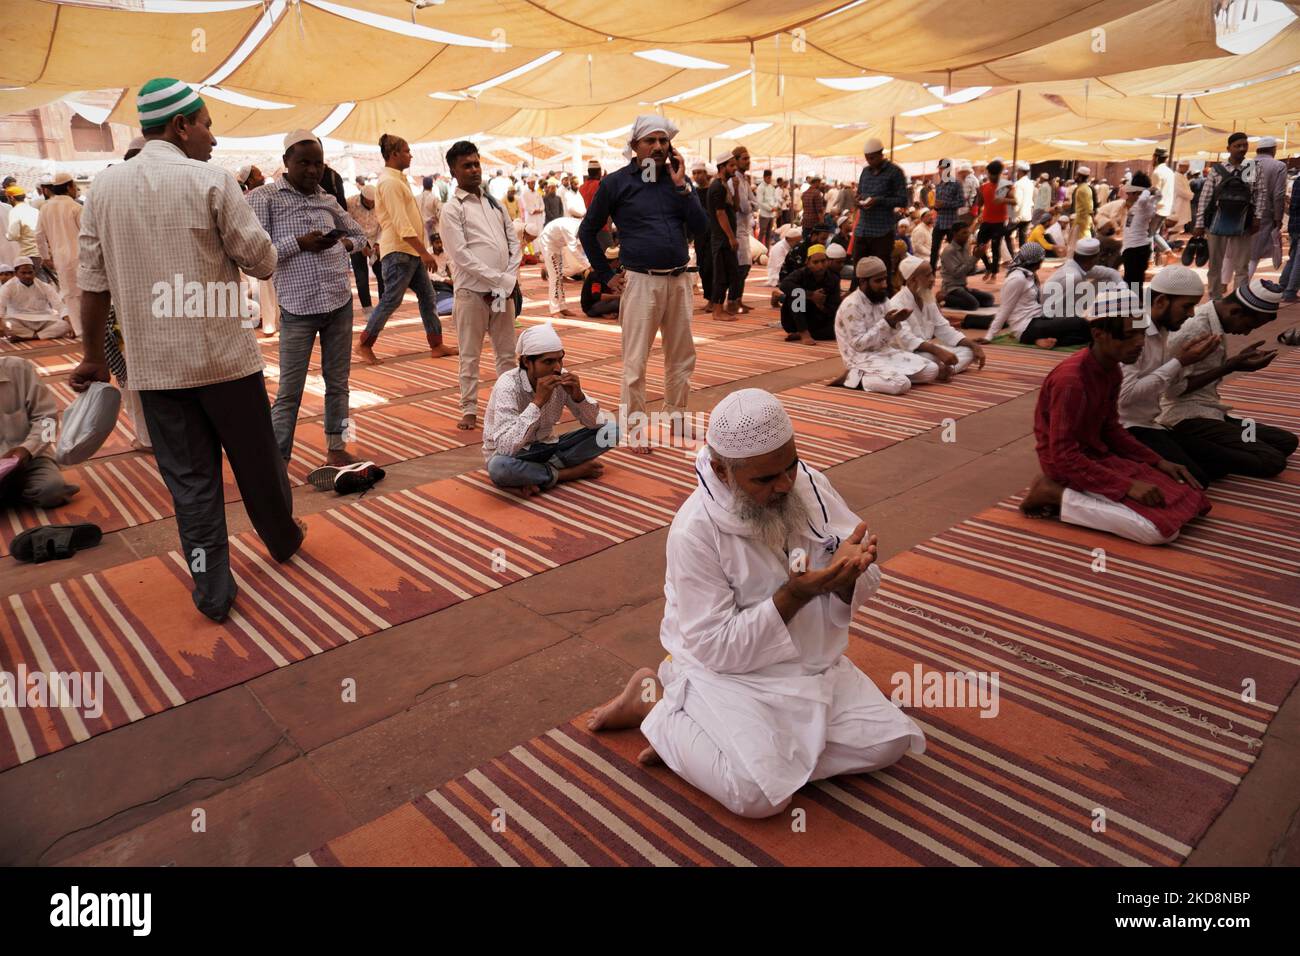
(404, 256)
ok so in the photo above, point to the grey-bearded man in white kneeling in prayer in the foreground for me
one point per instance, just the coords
(766, 568)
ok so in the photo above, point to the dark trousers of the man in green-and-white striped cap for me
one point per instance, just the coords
(190, 429)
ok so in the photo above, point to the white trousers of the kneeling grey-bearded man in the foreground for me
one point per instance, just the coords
(690, 752)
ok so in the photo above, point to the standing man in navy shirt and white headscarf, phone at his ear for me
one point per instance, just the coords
(655, 207)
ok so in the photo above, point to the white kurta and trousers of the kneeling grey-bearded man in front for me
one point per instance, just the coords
(753, 707)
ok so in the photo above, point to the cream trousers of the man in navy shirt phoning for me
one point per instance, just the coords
(657, 305)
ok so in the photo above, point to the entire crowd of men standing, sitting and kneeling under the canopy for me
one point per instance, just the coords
(1130, 430)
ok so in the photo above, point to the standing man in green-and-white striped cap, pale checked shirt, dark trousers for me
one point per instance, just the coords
(167, 231)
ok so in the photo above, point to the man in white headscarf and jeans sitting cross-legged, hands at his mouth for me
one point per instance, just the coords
(521, 445)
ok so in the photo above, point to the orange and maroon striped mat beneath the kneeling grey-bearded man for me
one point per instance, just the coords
(1121, 729)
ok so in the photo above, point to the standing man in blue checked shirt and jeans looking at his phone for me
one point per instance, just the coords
(314, 240)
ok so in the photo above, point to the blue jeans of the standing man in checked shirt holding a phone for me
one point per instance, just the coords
(297, 336)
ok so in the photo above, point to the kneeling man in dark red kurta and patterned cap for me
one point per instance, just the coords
(1094, 473)
